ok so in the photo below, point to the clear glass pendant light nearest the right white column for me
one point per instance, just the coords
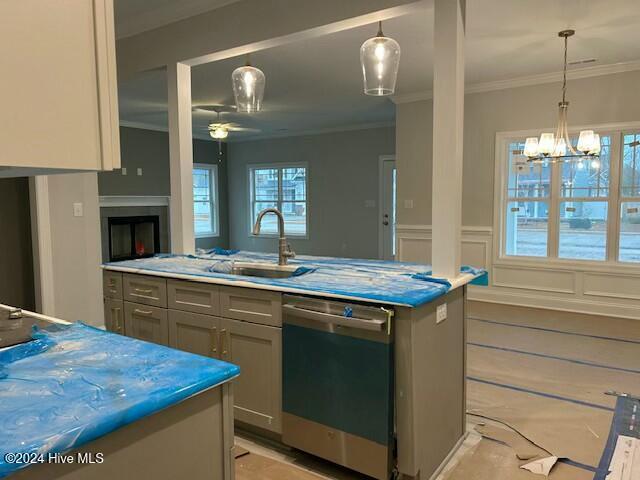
(380, 58)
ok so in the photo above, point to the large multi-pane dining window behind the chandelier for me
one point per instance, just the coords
(573, 211)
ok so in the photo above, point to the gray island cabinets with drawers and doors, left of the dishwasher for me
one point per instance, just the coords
(238, 325)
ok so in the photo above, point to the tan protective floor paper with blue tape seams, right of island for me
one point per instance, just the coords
(545, 374)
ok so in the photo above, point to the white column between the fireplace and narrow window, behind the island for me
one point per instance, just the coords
(180, 158)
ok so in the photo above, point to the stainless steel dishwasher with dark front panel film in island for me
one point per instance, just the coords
(338, 383)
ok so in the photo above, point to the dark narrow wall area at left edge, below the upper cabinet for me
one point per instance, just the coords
(16, 255)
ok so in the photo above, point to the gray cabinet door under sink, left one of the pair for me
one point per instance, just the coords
(194, 333)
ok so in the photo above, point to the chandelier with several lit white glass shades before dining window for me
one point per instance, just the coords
(557, 147)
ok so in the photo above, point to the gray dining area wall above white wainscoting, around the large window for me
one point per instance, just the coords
(596, 100)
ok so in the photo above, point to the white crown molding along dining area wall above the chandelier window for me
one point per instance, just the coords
(539, 79)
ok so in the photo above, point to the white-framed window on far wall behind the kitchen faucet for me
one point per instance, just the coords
(284, 188)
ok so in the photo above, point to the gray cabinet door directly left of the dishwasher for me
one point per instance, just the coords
(257, 350)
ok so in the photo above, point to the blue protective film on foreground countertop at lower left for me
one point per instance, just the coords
(68, 387)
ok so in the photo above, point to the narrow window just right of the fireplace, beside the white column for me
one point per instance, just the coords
(205, 200)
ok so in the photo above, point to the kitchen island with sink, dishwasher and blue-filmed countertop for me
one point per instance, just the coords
(384, 348)
